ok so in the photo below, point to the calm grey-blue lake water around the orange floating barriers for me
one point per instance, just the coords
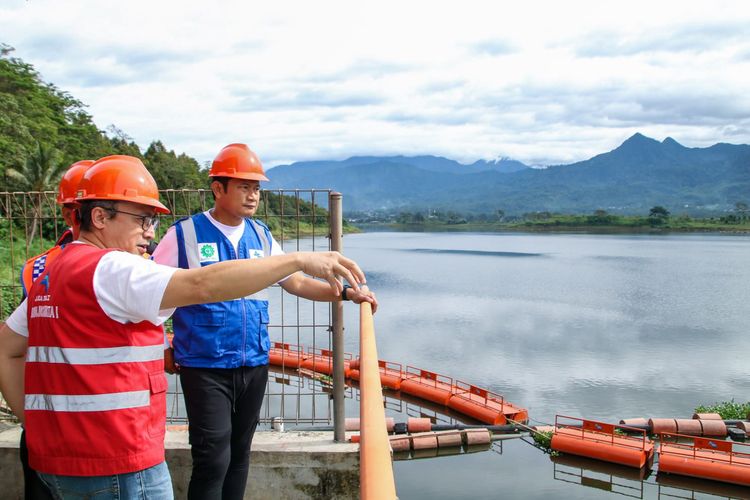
(594, 326)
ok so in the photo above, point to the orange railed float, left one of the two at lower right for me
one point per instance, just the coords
(599, 440)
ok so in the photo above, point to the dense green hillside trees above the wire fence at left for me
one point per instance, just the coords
(37, 116)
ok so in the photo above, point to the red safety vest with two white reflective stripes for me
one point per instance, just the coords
(95, 389)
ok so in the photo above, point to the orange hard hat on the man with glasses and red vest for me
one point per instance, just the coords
(121, 178)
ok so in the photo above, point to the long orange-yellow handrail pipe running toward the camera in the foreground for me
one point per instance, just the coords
(376, 469)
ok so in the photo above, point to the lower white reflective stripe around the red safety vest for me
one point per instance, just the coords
(89, 402)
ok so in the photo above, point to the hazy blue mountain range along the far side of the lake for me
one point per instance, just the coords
(639, 174)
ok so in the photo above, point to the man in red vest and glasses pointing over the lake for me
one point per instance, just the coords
(81, 359)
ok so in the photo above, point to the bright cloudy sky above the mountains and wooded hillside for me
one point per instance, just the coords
(543, 82)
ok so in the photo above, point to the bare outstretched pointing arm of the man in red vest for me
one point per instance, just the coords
(238, 278)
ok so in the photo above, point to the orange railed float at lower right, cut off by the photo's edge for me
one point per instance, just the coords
(705, 458)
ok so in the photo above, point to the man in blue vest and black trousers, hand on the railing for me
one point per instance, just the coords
(222, 348)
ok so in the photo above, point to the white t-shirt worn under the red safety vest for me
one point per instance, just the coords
(128, 288)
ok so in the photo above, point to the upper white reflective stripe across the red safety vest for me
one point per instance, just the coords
(94, 356)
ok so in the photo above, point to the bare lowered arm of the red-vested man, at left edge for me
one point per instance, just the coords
(12, 358)
